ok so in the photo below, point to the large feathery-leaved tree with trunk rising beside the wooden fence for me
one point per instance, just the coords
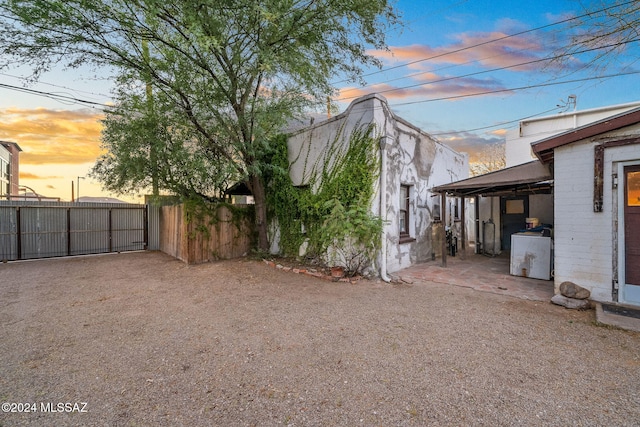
(232, 72)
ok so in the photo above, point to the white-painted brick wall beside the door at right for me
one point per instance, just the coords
(584, 239)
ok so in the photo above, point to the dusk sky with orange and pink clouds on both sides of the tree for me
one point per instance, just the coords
(448, 52)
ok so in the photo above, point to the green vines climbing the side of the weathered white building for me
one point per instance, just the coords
(335, 219)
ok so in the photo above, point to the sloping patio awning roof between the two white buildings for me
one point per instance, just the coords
(528, 178)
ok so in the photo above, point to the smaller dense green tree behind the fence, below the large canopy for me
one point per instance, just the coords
(145, 146)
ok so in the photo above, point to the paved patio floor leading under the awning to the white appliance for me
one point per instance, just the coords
(482, 273)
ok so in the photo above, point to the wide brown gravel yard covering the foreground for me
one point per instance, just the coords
(144, 339)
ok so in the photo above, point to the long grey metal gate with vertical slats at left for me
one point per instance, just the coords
(31, 230)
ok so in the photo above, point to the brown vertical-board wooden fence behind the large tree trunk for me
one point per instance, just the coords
(202, 238)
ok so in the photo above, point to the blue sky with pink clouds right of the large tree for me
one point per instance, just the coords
(436, 29)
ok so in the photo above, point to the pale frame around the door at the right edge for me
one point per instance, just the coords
(624, 294)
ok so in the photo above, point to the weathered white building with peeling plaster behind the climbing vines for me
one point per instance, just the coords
(412, 162)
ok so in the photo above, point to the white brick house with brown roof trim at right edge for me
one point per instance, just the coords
(597, 206)
